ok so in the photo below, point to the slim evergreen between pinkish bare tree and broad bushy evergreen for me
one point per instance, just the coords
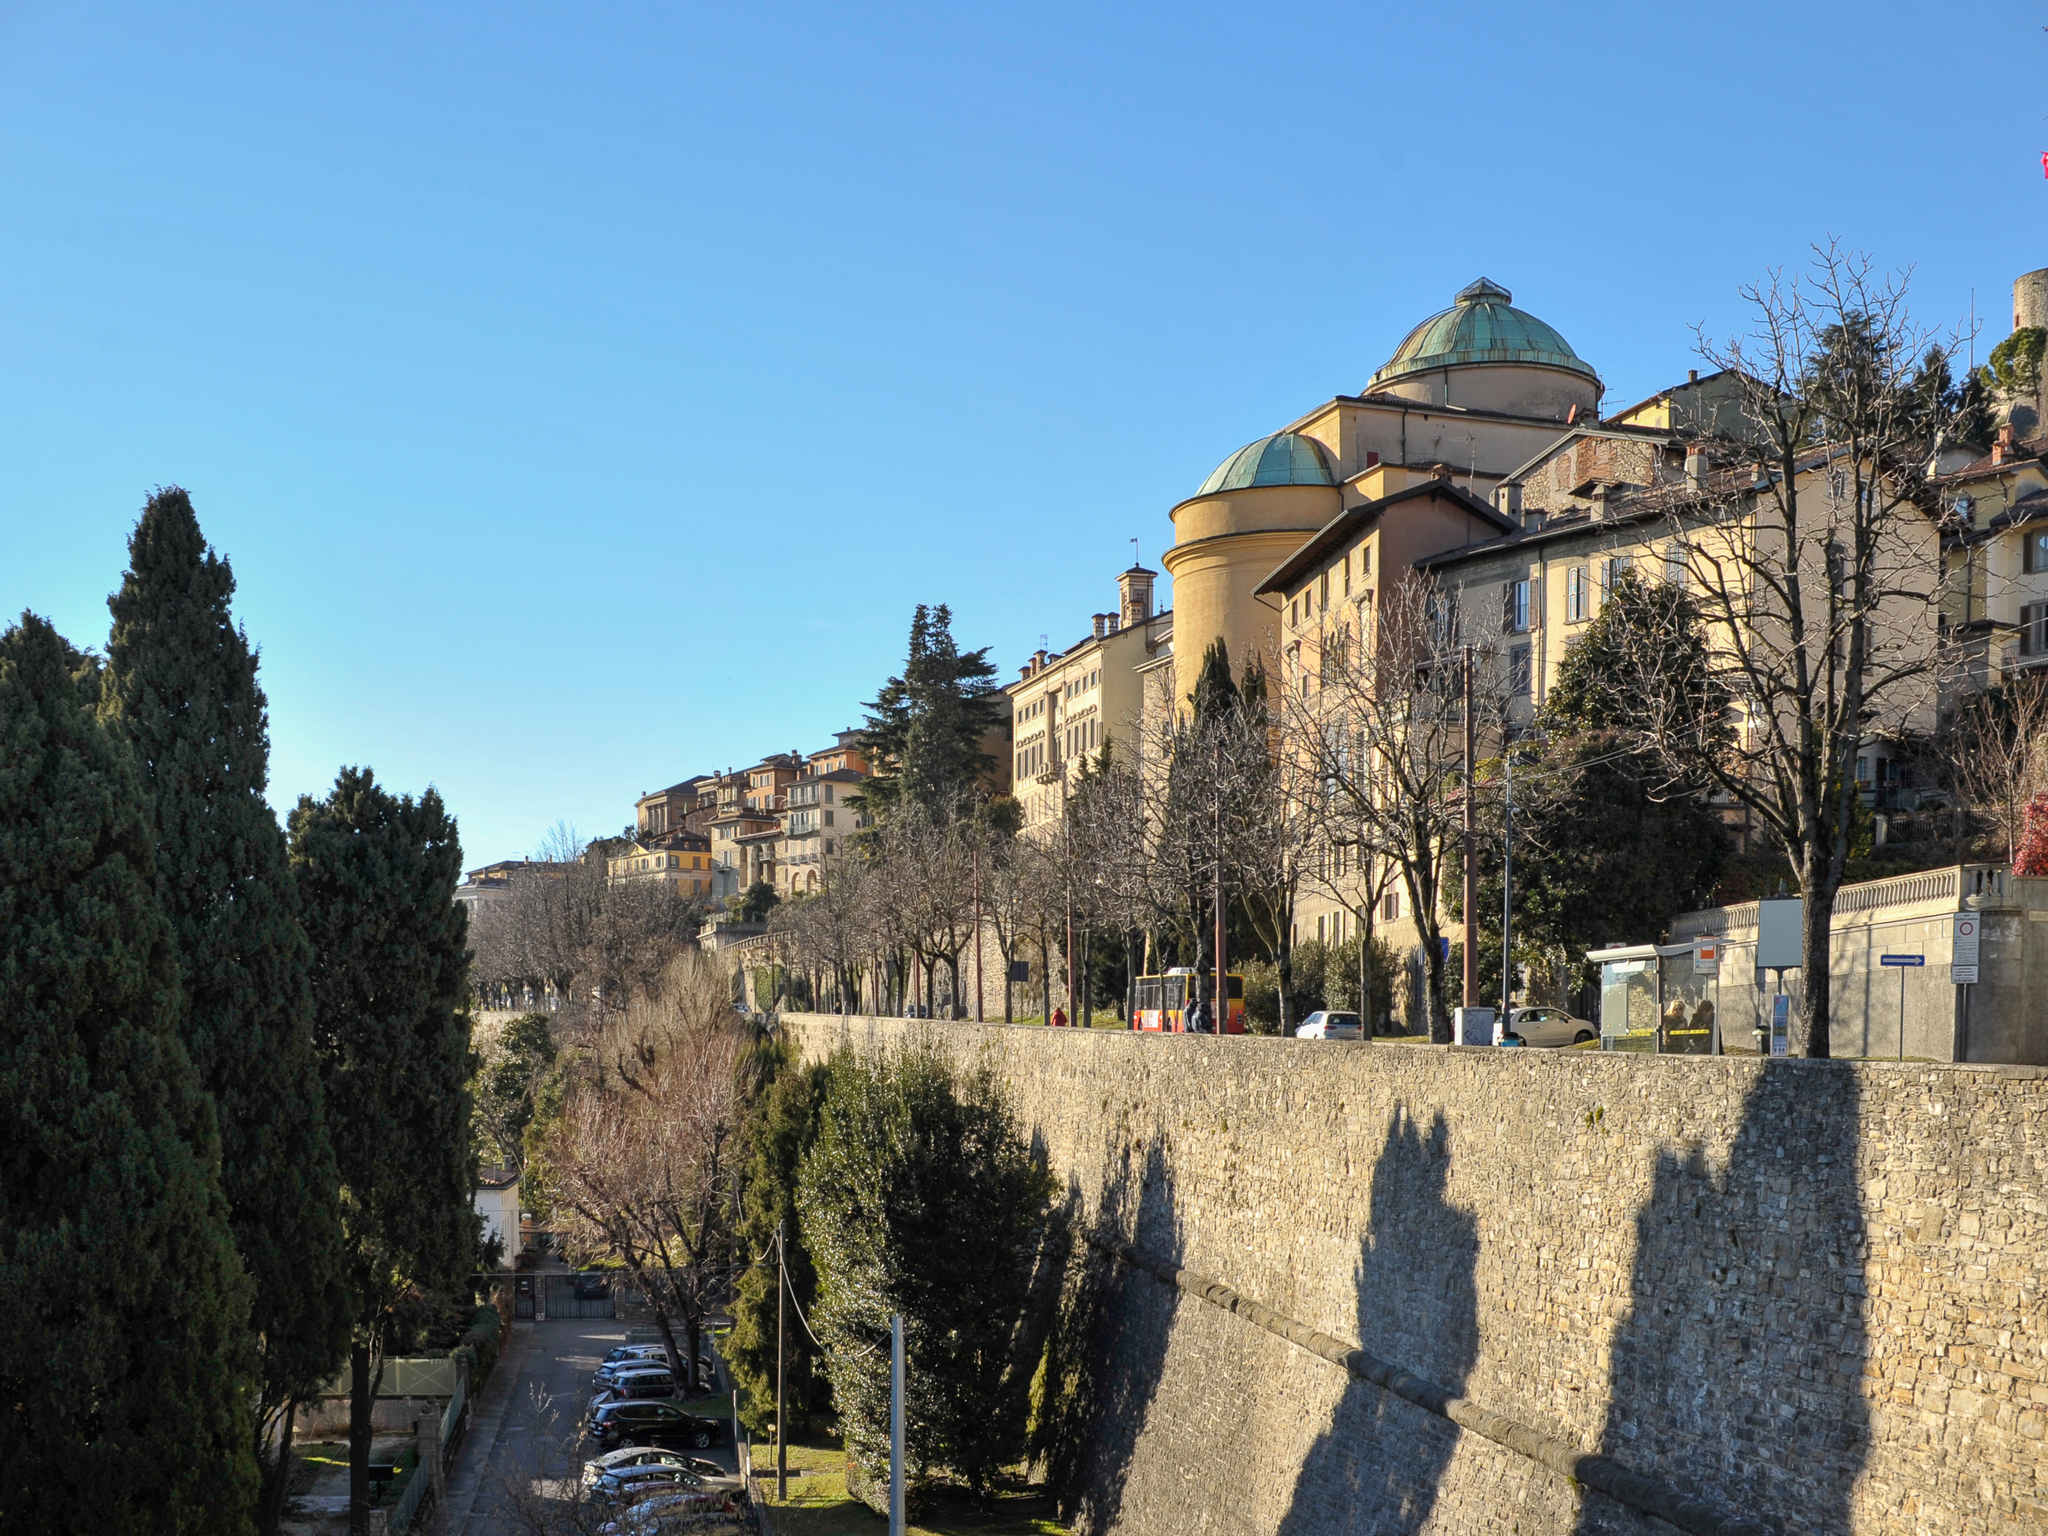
(781, 1129)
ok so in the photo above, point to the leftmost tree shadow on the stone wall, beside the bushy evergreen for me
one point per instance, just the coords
(1107, 1347)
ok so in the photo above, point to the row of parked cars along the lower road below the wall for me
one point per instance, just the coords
(644, 1476)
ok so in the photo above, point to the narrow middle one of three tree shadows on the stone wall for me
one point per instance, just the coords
(1377, 1469)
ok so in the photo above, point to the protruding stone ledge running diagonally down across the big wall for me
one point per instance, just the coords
(1601, 1474)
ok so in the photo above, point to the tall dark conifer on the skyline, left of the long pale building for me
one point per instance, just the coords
(927, 728)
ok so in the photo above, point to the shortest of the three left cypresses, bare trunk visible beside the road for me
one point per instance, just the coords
(378, 880)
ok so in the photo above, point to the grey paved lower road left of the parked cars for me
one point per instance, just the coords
(525, 1439)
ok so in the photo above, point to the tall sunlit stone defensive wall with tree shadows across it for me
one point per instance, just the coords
(1316, 1287)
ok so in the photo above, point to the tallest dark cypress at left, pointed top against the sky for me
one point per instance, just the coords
(181, 691)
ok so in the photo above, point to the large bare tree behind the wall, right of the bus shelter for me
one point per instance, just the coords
(1818, 572)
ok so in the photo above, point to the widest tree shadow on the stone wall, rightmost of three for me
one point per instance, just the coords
(1738, 1375)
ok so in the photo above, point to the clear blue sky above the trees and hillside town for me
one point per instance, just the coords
(585, 396)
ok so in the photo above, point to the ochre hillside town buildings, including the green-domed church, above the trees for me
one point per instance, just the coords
(1476, 460)
